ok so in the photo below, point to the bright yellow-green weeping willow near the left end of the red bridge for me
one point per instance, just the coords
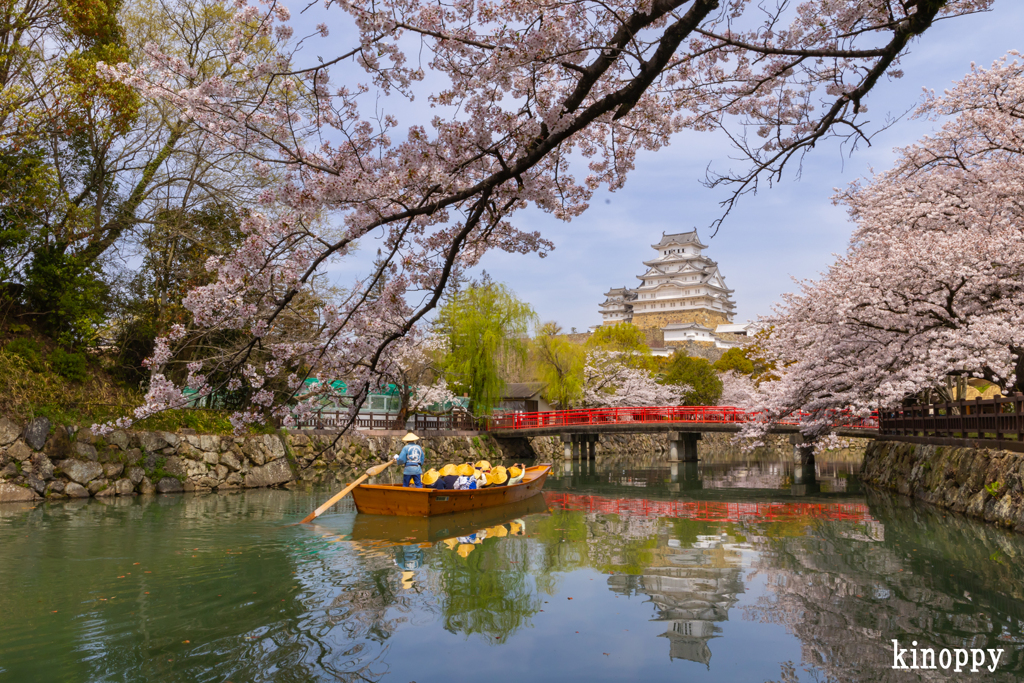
(483, 325)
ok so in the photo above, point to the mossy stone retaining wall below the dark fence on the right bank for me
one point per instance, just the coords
(984, 484)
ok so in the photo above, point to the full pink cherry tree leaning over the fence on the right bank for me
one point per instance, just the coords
(932, 286)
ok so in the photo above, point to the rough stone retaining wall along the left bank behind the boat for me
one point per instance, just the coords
(40, 460)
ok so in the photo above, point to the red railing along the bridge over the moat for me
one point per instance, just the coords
(678, 414)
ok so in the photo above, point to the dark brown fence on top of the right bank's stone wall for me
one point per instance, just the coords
(997, 419)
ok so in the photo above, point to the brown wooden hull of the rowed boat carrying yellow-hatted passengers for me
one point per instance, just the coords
(403, 502)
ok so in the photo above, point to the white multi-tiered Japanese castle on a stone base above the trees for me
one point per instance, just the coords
(682, 293)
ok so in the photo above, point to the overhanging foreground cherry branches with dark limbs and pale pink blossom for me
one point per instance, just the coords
(519, 90)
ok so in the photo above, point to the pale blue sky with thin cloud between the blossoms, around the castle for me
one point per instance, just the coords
(786, 232)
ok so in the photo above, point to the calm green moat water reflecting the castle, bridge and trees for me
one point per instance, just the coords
(624, 571)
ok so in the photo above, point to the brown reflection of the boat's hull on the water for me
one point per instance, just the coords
(439, 528)
